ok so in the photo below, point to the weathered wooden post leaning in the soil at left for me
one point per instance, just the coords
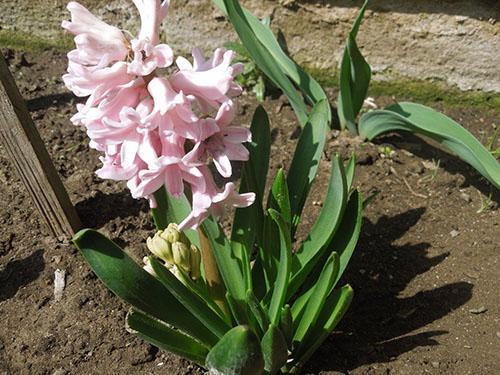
(20, 138)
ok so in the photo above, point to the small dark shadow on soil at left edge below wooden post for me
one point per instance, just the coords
(19, 273)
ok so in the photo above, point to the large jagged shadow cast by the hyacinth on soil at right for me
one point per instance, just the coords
(378, 327)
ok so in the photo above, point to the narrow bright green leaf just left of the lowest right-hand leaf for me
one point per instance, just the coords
(321, 290)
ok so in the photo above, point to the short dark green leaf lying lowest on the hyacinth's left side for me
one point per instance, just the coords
(164, 337)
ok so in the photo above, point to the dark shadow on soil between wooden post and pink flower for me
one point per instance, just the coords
(104, 207)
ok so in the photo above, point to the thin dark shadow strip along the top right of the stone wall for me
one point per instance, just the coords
(480, 9)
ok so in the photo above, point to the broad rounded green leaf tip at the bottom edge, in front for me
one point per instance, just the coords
(237, 353)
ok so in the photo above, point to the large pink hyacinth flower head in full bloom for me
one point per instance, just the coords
(155, 130)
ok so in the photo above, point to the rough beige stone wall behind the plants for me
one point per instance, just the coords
(455, 41)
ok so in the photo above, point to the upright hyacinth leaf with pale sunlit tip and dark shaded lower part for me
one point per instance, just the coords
(306, 159)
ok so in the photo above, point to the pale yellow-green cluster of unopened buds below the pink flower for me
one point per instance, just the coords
(174, 248)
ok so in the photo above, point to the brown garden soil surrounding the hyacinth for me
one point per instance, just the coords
(425, 273)
